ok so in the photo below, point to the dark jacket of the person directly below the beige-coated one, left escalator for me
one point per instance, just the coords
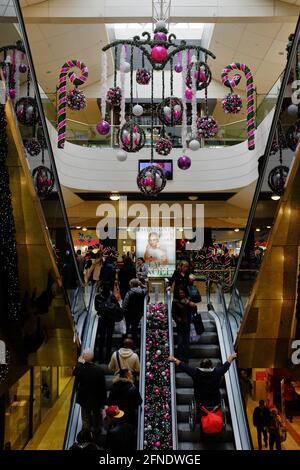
(127, 397)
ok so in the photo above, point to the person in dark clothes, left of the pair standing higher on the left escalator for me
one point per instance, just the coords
(109, 312)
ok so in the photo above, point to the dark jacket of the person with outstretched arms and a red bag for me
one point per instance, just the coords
(206, 383)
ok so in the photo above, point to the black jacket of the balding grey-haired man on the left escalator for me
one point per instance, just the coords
(91, 388)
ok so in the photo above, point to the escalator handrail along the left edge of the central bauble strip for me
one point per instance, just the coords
(140, 439)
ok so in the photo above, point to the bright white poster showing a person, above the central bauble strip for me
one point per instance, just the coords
(158, 248)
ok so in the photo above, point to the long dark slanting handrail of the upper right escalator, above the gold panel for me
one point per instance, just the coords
(266, 154)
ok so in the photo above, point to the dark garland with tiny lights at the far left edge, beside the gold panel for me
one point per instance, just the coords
(8, 250)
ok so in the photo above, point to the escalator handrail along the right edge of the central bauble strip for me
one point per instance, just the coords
(172, 374)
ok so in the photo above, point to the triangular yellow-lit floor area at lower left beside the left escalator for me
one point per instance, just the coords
(50, 435)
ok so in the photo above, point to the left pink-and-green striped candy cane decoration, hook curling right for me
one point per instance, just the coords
(62, 94)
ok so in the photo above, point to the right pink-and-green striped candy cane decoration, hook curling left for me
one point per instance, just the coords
(231, 83)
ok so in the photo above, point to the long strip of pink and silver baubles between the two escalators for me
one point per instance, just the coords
(157, 406)
